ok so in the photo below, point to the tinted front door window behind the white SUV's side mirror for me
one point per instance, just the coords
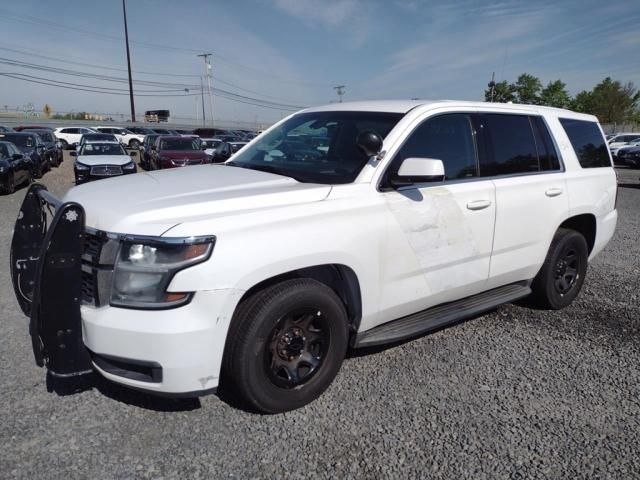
(446, 137)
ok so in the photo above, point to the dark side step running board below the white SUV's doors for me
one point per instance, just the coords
(436, 317)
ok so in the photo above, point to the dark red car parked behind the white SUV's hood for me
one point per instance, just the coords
(177, 151)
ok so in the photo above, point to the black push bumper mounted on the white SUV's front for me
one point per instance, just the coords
(47, 278)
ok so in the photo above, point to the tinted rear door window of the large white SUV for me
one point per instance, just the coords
(511, 147)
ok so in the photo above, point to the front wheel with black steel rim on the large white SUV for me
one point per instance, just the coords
(285, 345)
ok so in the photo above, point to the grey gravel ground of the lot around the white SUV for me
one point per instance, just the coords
(516, 393)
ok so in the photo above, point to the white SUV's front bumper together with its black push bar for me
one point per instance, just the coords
(176, 351)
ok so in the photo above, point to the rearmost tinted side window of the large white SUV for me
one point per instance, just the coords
(587, 142)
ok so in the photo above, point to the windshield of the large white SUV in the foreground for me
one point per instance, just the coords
(316, 147)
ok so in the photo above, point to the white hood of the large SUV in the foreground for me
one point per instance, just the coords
(150, 203)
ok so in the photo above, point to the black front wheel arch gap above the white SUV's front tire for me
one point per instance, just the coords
(338, 277)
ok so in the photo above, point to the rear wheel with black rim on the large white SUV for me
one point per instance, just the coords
(563, 272)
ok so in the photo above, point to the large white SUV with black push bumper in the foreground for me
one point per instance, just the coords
(343, 226)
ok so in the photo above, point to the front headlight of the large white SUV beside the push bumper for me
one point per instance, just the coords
(145, 267)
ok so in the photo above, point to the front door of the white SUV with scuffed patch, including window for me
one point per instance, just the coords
(441, 233)
